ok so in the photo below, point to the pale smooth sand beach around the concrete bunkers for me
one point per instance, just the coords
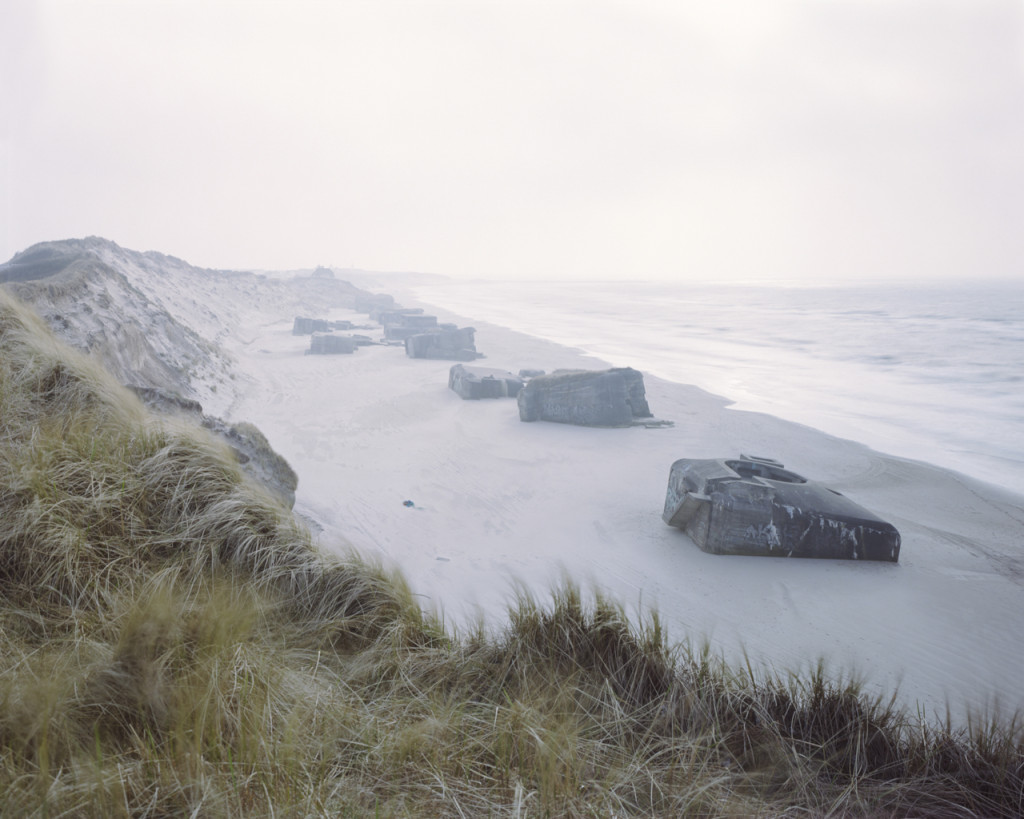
(498, 502)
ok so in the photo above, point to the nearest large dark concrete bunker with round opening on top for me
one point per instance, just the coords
(753, 506)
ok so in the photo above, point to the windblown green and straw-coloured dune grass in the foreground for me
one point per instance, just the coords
(173, 644)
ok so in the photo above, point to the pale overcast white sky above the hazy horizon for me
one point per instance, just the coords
(689, 141)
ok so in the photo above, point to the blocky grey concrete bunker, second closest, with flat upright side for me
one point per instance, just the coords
(587, 398)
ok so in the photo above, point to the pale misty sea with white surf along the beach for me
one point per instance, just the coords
(931, 373)
